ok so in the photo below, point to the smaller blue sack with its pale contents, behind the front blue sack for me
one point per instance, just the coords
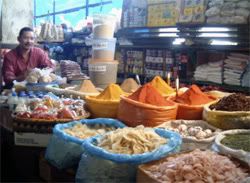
(64, 148)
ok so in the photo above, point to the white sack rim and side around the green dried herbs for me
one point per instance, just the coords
(236, 153)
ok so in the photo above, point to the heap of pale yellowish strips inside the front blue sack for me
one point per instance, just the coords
(132, 140)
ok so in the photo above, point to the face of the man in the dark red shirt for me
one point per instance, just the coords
(27, 40)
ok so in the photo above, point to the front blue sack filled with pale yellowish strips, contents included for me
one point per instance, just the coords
(114, 157)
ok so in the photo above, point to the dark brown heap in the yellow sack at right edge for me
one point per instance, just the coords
(234, 102)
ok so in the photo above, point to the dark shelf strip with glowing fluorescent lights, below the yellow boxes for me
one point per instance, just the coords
(231, 37)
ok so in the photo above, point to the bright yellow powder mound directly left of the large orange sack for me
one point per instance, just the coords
(112, 92)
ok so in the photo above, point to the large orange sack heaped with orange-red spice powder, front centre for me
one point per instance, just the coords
(146, 107)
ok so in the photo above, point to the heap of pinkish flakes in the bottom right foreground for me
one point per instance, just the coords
(197, 166)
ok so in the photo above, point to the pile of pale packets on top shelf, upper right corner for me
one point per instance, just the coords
(228, 12)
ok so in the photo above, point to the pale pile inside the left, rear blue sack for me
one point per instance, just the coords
(84, 131)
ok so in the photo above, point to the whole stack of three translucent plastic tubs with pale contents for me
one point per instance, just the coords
(102, 66)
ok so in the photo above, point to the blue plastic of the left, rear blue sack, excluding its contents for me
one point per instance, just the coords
(63, 150)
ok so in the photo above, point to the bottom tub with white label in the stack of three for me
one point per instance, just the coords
(103, 73)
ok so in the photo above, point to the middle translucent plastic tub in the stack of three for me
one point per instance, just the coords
(103, 48)
